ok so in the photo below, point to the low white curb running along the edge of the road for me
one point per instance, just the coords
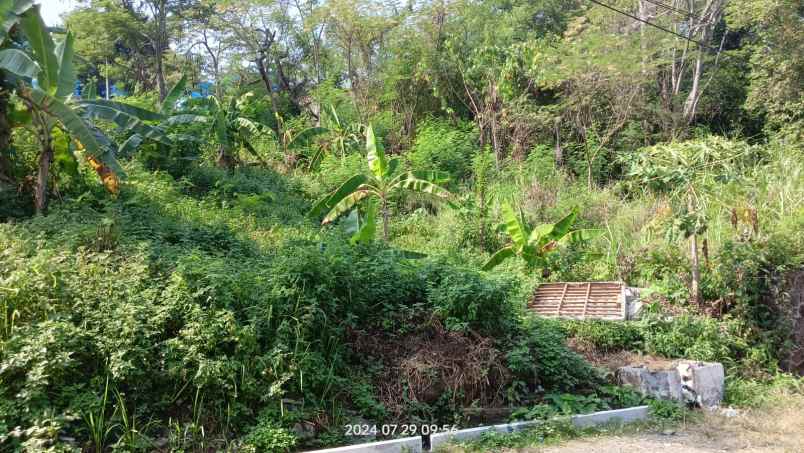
(415, 445)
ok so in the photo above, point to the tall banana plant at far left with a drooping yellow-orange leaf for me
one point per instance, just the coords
(44, 77)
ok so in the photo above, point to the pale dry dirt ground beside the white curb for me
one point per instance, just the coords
(776, 429)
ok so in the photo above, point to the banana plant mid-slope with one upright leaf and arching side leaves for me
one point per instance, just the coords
(380, 183)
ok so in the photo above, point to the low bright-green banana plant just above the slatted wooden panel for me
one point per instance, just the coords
(534, 245)
